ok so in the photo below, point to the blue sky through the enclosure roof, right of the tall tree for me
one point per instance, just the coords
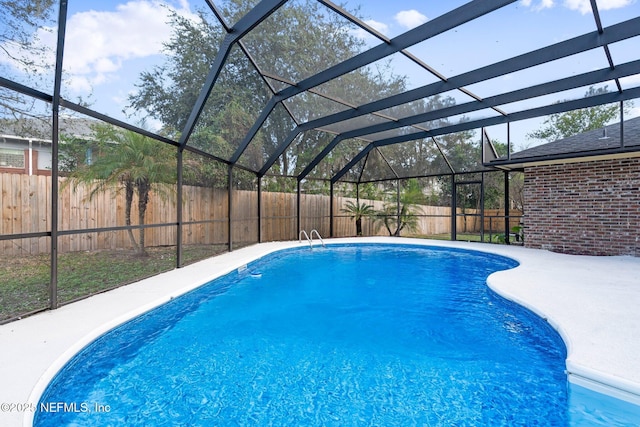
(523, 27)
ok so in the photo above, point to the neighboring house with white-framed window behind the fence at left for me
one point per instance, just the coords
(25, 145)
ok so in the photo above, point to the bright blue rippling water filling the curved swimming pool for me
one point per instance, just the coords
(346, 335)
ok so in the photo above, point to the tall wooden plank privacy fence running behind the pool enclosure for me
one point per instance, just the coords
(25, 205)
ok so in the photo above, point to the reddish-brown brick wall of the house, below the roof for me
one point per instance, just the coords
(589, 208)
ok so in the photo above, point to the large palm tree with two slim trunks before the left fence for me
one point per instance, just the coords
(133, 163)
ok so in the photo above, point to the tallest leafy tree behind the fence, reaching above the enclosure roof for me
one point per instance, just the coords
(296, 45)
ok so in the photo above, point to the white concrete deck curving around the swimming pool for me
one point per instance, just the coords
(594, 302)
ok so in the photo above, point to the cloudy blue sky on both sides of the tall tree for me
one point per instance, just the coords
(108, 43)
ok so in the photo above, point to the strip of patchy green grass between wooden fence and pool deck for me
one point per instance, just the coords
(24, 281)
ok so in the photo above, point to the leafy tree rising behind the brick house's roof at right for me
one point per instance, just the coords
(563, 125)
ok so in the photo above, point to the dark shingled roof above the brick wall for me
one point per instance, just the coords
(609, 141)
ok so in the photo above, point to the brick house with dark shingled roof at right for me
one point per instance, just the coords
(582, 193)
